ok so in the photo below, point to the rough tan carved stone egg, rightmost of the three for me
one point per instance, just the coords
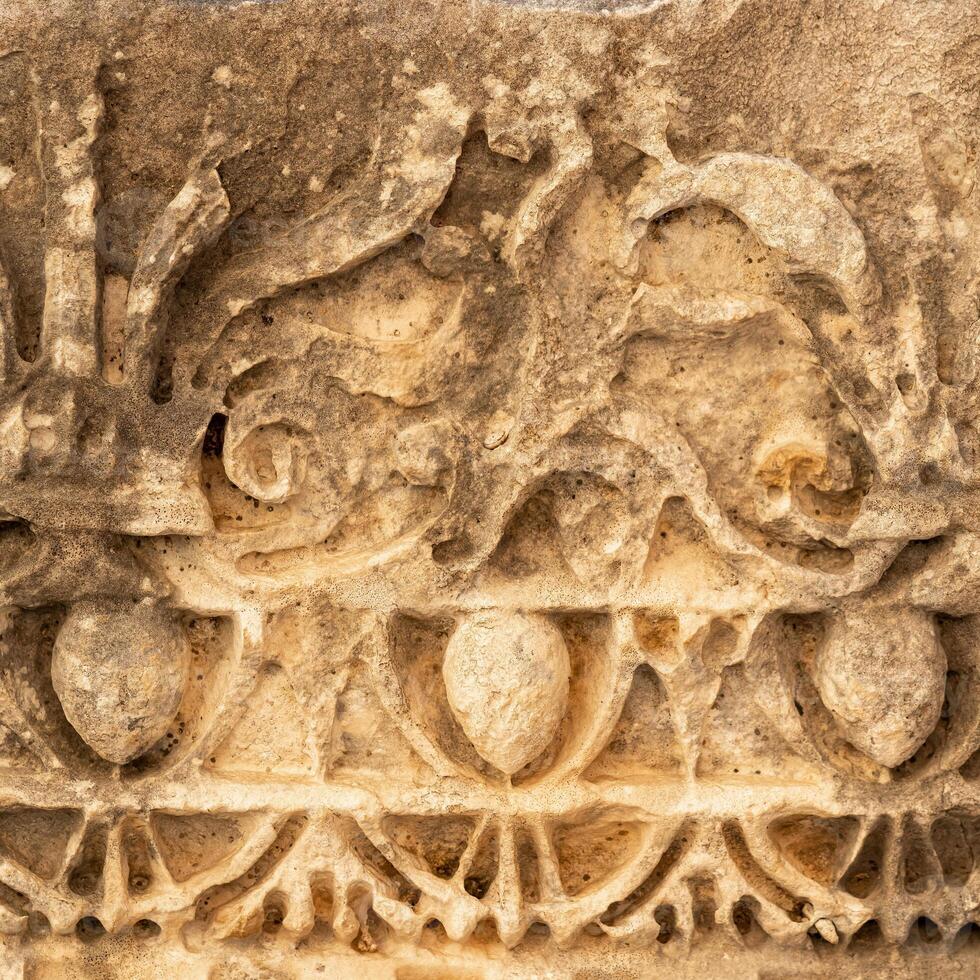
(883, 677)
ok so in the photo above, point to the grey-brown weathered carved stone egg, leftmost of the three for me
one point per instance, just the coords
(119, 671)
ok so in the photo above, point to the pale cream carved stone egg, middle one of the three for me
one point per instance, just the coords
(506, 678)
